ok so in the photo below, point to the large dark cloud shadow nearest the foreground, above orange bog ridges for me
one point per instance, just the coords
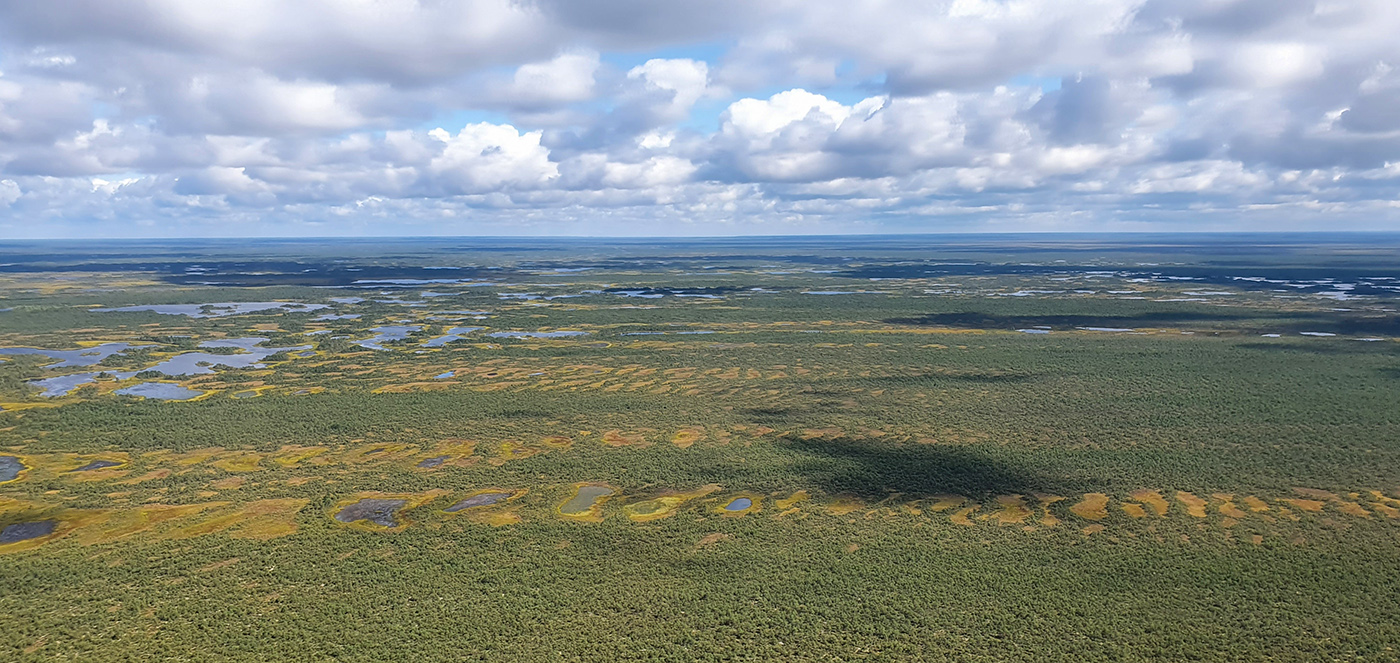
(877, 469)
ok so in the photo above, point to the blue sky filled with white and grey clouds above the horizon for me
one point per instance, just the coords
(362, 118)
